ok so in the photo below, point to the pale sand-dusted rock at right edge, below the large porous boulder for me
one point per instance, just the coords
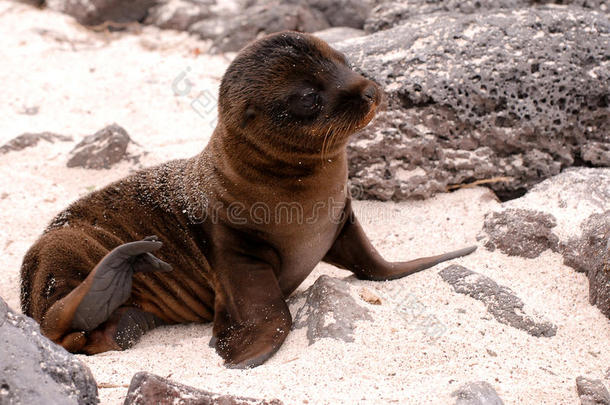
(574, 207)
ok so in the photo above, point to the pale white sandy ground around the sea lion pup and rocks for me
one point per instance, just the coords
(82, 81)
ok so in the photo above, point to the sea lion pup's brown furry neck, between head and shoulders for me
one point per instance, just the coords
(233, 169)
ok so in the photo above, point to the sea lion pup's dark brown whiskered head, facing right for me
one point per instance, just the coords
(293, 90)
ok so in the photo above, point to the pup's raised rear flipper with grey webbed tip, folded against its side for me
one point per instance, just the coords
(106, 288)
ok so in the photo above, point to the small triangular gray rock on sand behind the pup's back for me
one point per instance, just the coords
(102, 149)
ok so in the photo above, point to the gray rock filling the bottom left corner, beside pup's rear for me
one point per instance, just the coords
(34, 370)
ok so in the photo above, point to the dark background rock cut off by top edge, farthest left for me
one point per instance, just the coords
(94, 12)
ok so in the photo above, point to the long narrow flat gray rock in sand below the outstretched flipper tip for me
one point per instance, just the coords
(501, 302)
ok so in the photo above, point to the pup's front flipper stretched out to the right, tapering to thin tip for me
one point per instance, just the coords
(353, 251)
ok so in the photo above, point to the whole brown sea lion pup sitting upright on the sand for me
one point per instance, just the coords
(242, 224)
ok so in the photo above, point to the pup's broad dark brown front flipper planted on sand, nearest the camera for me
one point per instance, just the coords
(251, 319)
